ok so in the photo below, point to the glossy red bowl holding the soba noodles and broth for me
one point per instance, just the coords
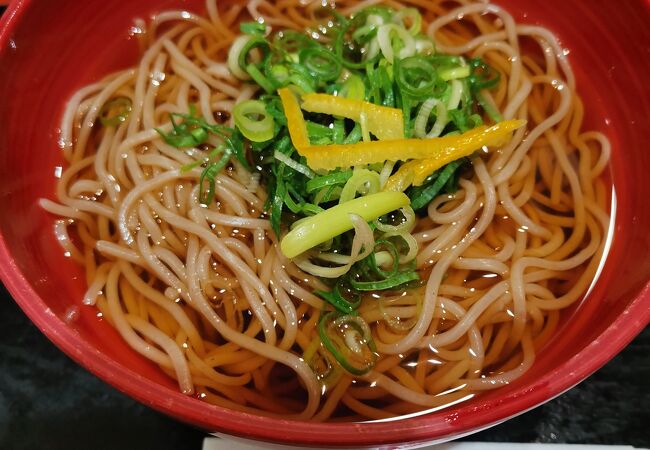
(50, 49)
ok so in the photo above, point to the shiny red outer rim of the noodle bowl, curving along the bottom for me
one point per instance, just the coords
(461, 421)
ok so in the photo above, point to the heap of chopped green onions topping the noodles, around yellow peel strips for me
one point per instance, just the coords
(388, 61)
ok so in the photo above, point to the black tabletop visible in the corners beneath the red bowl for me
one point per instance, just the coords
(48, 402)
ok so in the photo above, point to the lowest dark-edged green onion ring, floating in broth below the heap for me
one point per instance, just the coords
(349, 340)
